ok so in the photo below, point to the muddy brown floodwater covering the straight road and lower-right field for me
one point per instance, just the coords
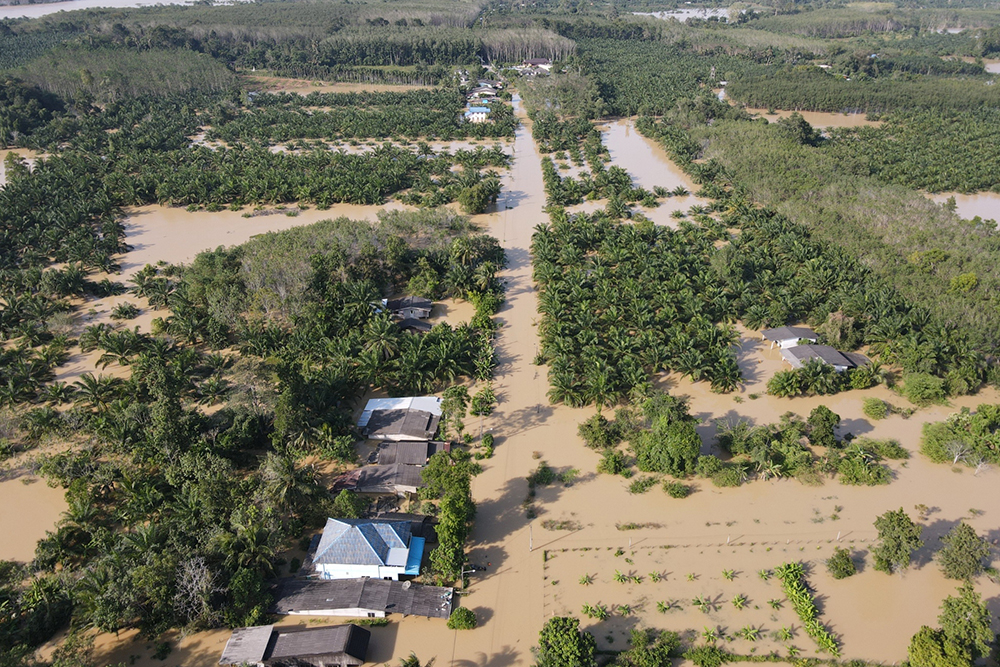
(533, 573)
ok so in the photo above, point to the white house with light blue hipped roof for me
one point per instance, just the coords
(352, 548)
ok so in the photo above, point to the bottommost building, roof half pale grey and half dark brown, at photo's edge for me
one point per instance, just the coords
(334, 646)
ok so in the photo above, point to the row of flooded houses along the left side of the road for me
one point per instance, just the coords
(360, 568)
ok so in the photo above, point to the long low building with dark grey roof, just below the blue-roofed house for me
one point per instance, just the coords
(361, 598)
